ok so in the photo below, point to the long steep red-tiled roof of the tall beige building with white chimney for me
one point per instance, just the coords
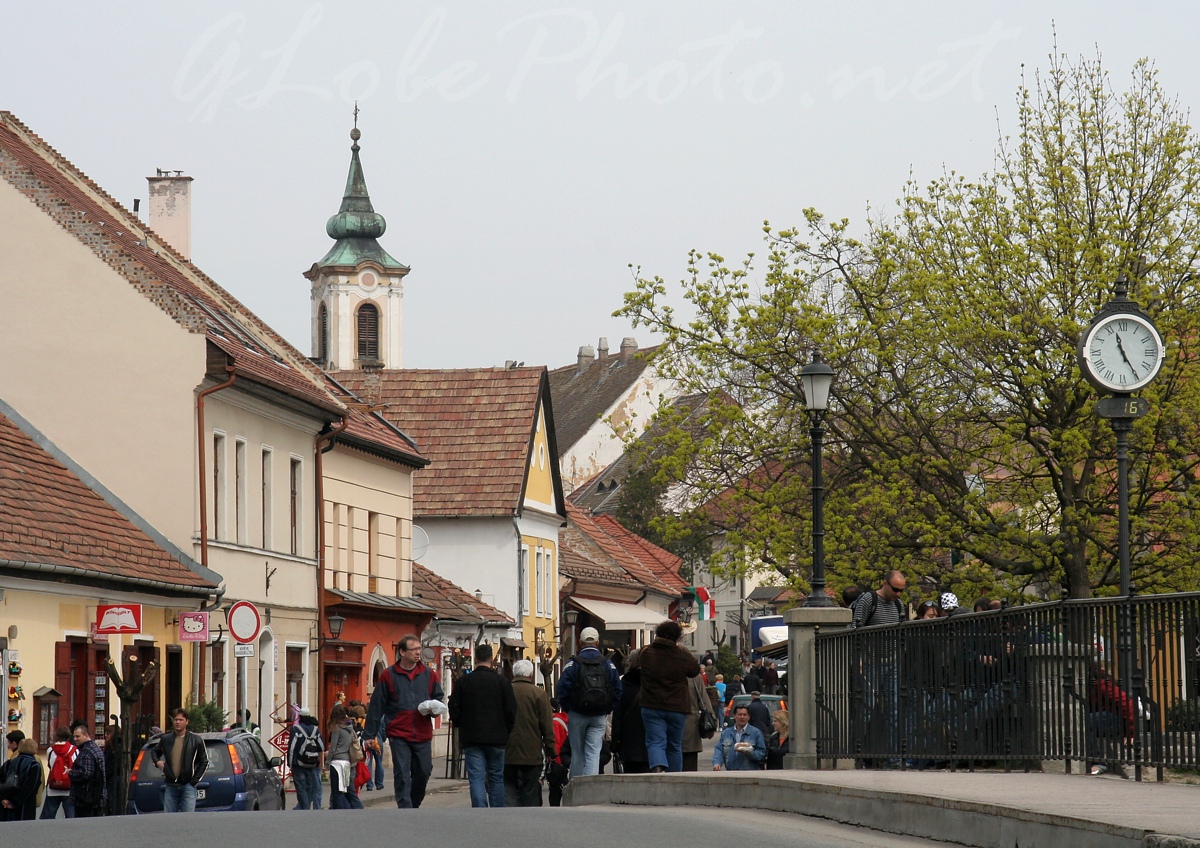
(153, 267)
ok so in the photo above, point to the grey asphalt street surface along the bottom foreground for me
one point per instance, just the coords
(592, 827)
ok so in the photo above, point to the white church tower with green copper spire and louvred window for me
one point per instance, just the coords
(357, 287)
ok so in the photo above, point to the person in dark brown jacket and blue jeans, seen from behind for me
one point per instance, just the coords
(667, 702)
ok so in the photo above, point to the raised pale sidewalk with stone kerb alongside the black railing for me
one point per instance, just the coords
(986, 810)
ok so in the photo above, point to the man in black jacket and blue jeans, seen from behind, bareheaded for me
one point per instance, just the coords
(484, 711)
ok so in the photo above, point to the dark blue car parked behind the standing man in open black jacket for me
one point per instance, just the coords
(239, 778)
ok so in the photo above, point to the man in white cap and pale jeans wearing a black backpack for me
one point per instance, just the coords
(590, 690)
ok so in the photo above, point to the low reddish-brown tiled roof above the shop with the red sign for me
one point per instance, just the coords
(52, 522)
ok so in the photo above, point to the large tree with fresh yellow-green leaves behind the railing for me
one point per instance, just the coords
(963, 443)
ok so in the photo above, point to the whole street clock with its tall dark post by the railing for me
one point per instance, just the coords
(1119, 353)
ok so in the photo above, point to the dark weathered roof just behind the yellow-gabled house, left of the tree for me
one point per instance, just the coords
(583, 398)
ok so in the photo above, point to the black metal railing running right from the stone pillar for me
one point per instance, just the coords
(1108, 683)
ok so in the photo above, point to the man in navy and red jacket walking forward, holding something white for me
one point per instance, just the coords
(405, 701)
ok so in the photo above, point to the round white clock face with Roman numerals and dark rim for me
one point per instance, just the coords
(1121, 353)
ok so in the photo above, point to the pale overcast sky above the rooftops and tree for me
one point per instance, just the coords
(527, 154)
